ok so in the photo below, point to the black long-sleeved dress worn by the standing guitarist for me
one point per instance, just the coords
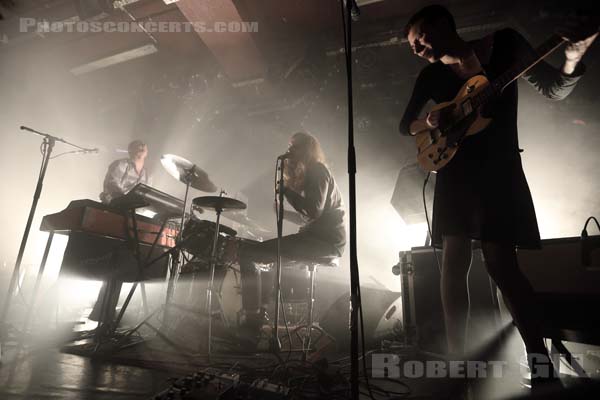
(482, 193)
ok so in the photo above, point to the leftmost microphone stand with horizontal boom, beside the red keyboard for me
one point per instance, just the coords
(47, 146)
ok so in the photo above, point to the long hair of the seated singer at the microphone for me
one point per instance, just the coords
(309, 152)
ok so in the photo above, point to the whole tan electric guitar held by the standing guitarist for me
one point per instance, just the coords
(461, 117)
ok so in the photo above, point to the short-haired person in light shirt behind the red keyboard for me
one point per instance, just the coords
(124, 174)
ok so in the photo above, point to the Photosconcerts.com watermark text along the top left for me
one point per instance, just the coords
(32, 25)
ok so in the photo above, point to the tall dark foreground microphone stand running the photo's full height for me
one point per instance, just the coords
(355, 300)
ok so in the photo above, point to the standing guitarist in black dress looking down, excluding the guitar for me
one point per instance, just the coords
(482, 194)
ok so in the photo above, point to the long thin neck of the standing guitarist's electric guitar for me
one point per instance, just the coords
(517, 70)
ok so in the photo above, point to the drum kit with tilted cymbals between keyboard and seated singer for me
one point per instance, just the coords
(205, 240)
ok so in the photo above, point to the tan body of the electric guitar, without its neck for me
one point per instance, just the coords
(458, 119)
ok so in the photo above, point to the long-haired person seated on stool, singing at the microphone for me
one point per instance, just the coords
(310, 189)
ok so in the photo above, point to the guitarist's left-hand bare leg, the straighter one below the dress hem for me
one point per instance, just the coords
(456, 260)
